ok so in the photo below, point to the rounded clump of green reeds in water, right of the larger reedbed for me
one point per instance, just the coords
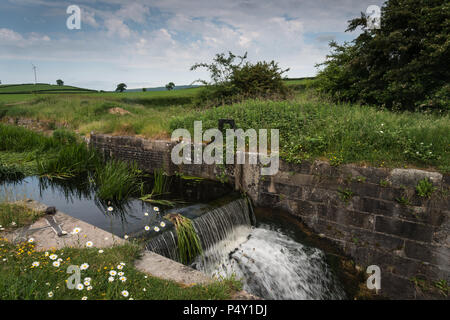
(118, 180)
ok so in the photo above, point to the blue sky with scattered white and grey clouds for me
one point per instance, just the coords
(148, 43)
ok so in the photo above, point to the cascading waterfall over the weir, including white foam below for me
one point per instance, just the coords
(270, 264)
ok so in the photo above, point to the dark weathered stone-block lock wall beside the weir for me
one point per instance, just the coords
(357, 208)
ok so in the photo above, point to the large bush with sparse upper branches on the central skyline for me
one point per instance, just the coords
(233, 79)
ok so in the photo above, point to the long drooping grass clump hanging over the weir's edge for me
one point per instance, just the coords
(188, 241)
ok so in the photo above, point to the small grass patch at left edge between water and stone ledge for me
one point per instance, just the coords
(14, 215)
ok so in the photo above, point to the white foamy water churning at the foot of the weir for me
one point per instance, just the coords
(271, 265)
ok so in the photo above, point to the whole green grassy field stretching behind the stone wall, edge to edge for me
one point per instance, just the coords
(310, 125)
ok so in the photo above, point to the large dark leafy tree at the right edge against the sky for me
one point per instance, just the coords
(399, 66)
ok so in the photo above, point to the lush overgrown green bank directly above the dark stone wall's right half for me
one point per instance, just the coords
(311, 127)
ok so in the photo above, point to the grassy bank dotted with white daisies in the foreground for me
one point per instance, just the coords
(31, 275)
